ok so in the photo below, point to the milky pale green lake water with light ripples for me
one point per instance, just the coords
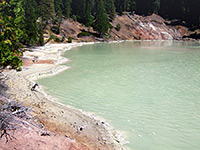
(150, 91)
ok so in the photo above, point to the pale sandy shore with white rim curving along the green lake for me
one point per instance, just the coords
(83, 128)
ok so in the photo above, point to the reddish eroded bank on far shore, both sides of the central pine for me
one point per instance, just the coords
(133, 27)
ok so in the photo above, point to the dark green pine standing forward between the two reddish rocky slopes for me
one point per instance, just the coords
(101, 24)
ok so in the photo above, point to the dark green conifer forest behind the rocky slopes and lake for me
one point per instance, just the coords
(23, 22)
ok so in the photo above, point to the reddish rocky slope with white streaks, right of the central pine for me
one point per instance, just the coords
(146, 28)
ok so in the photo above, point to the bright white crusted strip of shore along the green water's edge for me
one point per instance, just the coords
(56, 68)
